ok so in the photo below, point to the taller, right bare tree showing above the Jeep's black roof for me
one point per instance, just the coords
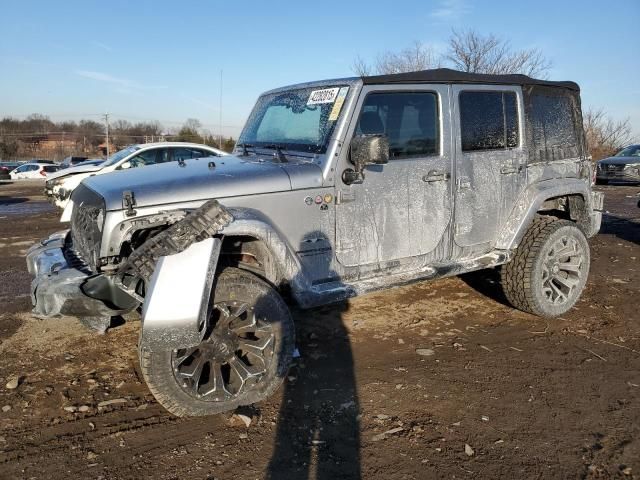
(470, 51)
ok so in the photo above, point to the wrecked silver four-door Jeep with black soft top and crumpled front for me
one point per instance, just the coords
(335, 188)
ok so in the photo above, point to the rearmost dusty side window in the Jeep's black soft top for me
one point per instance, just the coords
(552, 122)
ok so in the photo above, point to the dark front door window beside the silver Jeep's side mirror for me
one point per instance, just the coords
(409, 119)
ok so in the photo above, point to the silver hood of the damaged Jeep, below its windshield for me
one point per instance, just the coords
(171, 183)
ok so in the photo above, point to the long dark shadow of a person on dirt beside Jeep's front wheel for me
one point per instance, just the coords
(318, 429)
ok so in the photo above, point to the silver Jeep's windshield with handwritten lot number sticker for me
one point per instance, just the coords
(301, 119)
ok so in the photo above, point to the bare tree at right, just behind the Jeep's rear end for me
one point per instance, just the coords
(604, 135)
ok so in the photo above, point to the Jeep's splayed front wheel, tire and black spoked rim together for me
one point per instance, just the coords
(243, 358)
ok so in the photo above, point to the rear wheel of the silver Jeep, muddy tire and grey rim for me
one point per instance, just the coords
(549, 269)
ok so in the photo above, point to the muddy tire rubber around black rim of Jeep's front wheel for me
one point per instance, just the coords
(232, 284)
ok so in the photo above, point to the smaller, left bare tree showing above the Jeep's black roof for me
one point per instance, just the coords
(416, 57)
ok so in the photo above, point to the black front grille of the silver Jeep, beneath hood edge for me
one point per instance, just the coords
(87, 221)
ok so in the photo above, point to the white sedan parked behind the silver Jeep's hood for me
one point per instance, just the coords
(60, 185)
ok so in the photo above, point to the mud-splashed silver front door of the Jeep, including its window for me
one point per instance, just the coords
(403, 208)
